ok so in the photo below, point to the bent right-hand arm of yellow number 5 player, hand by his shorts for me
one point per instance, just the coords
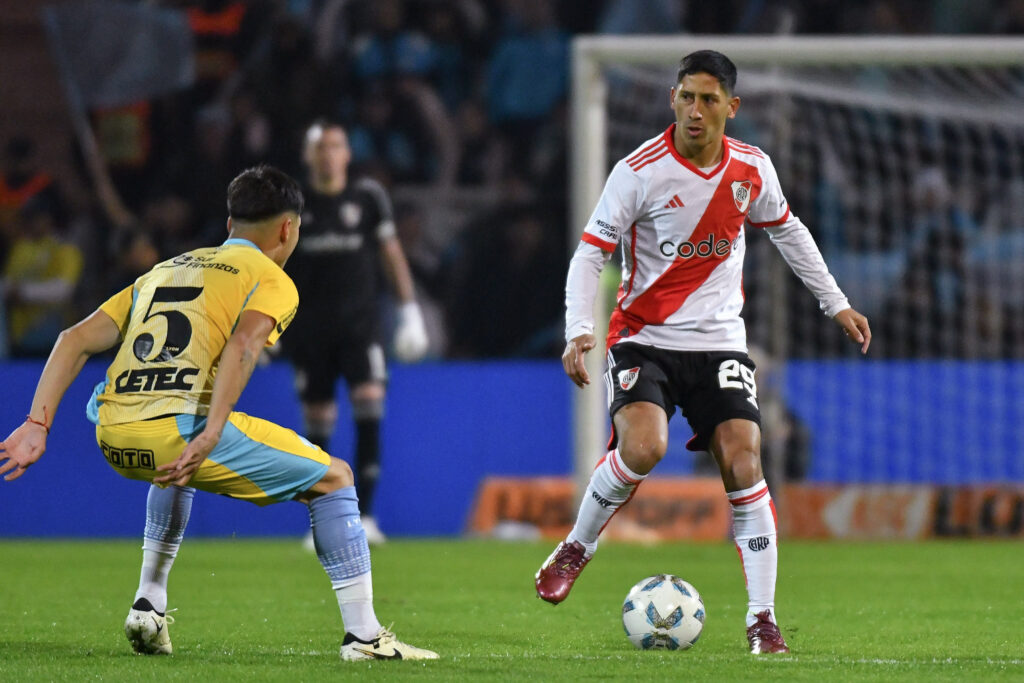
(237, 363)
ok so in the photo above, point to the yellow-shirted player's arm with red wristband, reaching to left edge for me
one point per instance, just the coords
(27, 444)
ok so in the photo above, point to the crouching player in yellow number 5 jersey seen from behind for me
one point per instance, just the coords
(191, 331)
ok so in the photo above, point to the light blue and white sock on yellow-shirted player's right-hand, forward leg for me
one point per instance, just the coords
(342, 547)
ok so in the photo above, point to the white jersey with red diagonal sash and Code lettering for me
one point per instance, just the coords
(682, 236)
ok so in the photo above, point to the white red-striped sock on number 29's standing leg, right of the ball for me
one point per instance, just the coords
(755, 529)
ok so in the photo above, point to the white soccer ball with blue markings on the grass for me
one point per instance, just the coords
(663, 613)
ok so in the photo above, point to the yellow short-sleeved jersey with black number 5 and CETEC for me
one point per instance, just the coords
(175, 323)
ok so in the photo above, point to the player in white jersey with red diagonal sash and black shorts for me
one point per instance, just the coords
(679, 206)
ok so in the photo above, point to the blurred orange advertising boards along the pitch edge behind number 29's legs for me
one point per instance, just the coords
(697, 509)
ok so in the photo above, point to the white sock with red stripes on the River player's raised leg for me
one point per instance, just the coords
(611, 488)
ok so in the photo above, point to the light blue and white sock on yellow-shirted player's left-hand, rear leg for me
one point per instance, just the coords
(167, 514)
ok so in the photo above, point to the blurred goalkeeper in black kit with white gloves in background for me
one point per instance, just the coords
(349, 236)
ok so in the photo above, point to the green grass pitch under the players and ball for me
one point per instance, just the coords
(263, 611)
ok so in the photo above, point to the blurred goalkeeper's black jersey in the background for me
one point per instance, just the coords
(336, 266)
